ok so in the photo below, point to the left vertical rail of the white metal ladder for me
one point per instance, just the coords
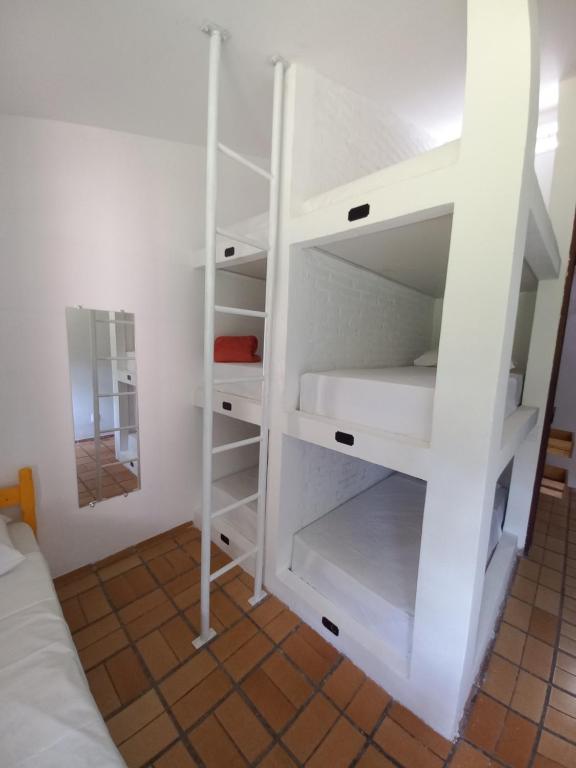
(206, 632)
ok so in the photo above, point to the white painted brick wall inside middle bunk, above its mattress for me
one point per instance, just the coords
(342, 316)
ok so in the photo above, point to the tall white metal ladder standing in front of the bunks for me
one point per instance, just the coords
(217, 36)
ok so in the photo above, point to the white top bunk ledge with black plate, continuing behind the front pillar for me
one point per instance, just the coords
(414, 193)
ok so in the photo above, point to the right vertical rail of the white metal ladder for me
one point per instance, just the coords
(273, 215)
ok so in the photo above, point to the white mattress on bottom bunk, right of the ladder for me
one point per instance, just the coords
(364, 555)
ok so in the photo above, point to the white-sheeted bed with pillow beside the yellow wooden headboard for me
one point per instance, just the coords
(48, 718)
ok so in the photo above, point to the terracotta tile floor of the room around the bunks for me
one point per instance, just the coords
(269, 691)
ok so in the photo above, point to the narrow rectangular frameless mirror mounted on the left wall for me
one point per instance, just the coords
(101, 351)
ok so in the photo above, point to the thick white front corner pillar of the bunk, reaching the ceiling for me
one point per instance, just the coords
(483, 283)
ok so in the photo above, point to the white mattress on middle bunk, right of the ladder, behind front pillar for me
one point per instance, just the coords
(396, 400)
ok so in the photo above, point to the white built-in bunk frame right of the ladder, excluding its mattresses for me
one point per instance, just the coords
(470, 215)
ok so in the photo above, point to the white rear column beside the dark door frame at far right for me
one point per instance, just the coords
(547, 312)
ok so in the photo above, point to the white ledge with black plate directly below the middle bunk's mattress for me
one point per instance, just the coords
(398, 452)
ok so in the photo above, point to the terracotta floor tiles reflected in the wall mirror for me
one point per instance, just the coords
(116, 480)
